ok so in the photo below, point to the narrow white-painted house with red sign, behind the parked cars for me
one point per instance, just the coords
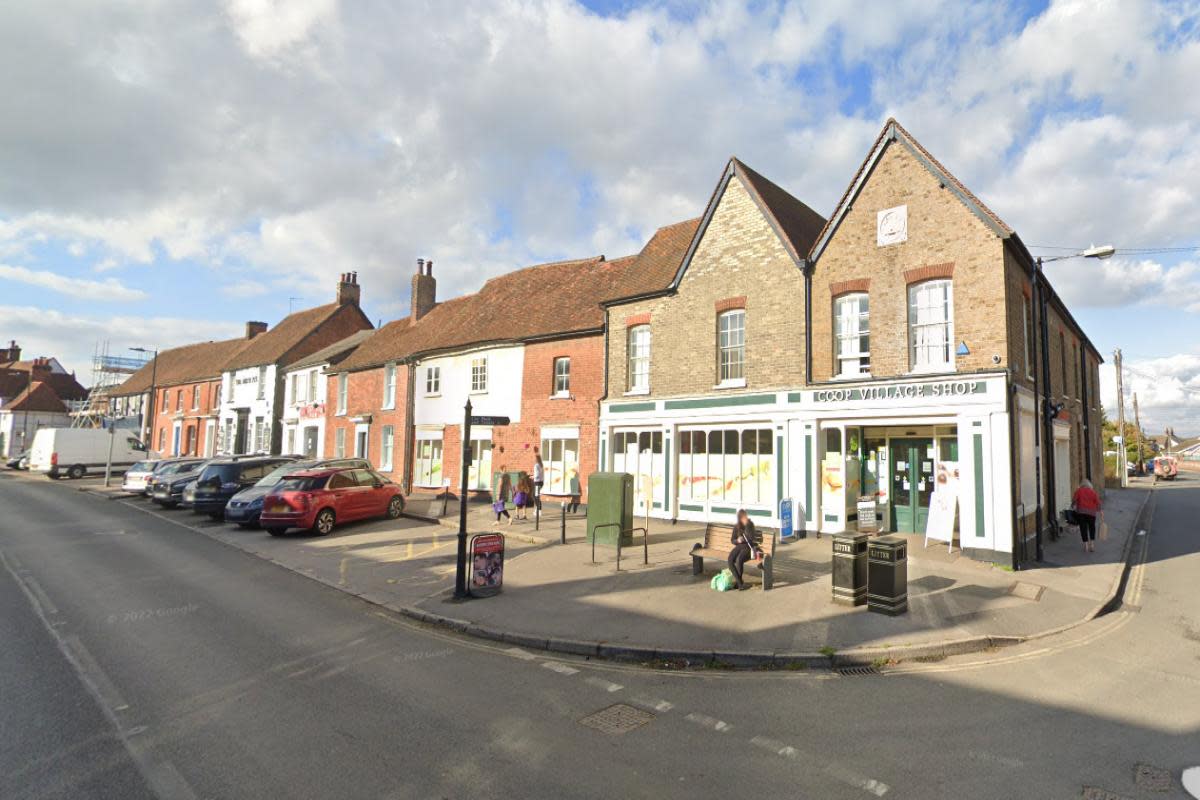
(307, 394)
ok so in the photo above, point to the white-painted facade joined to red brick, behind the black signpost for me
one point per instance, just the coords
(491, 378)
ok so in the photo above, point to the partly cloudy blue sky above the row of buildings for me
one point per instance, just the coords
(170, 171)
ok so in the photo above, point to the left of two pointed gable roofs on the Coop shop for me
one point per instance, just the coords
(796, 225)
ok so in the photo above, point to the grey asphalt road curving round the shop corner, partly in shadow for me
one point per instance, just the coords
(145, 659)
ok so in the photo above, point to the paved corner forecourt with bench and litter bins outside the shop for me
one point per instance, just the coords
(556, 599)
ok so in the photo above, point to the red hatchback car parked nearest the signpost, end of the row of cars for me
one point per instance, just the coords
(317, 500)
